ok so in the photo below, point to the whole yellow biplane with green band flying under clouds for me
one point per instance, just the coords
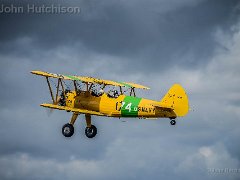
(89, 96)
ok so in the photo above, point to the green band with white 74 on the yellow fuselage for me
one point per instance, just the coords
(130, 106)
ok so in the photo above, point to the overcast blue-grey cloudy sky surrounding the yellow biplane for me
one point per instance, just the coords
(156, 43)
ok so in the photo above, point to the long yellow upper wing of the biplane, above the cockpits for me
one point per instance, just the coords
(89, 80)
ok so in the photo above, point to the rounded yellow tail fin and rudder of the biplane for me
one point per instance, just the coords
(177, 99)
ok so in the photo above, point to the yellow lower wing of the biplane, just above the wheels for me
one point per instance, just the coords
(82, 111)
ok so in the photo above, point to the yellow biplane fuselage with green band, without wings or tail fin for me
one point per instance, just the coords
(122, 106)
